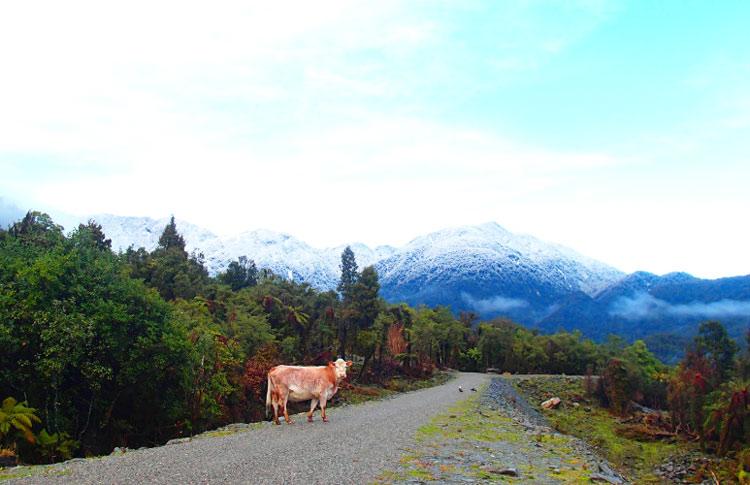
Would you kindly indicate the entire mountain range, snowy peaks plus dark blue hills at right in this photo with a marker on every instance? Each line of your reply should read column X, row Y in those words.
column 487, row 270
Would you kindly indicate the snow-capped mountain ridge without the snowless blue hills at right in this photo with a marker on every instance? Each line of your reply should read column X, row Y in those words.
column 482, row 268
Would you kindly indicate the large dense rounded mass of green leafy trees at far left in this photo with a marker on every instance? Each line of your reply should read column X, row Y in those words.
column 97, row 351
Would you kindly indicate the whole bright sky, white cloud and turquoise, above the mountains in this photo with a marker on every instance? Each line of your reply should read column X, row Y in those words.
column 621, row 130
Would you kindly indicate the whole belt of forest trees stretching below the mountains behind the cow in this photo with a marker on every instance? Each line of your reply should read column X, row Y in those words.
column 101, row 349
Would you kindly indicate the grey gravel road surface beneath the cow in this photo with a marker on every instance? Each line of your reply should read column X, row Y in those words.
column 359, row 442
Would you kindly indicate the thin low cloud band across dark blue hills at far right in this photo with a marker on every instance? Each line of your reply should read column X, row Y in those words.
column 642, row 306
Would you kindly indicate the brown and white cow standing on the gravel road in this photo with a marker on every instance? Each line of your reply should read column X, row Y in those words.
column 298, row 383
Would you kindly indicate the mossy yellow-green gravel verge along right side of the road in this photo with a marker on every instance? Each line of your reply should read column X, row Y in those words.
column 497, row 437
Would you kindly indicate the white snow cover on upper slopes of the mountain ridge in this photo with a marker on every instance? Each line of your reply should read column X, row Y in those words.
column 466, row 249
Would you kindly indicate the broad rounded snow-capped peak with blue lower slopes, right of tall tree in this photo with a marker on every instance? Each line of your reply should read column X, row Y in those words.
column 492, row 271
